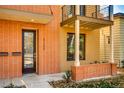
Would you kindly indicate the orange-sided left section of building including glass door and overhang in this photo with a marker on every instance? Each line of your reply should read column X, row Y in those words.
column 19, row 52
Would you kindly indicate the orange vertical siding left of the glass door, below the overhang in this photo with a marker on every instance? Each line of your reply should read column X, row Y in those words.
column 10, row 42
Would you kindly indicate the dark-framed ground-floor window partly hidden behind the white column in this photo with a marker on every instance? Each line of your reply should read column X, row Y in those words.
column 71, row 47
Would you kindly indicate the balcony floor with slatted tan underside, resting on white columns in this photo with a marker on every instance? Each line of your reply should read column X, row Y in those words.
column 86, row 22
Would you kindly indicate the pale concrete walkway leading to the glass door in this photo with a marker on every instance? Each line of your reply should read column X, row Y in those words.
column 33, row 80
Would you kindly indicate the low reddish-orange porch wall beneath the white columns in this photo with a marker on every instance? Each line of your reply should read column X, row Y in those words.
column 93, row 70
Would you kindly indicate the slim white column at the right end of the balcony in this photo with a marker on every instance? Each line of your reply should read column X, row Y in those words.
column 111, row 35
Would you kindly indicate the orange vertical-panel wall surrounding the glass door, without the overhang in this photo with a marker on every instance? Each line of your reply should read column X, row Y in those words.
column 11, row 41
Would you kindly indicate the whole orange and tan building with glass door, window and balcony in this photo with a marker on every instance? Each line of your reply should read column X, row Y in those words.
column 40, row 39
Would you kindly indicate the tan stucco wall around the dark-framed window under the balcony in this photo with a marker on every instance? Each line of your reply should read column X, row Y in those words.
column 91, row 48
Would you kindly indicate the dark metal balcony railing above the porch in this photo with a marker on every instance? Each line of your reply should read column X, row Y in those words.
column 100, row 12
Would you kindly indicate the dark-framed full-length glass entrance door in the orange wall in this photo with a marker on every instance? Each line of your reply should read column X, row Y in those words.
column 28, row 51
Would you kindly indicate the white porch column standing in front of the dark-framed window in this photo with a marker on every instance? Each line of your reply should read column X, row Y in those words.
column 77, row 36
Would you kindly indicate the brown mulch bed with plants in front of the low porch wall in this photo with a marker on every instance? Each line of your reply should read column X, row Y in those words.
column 113, row 82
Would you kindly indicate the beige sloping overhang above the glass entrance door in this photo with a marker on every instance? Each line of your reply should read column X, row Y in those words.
column 25, row 16
